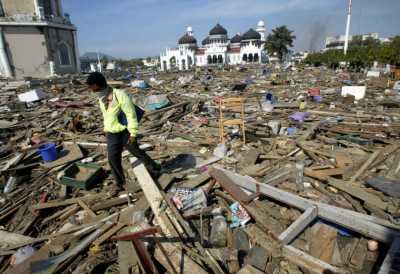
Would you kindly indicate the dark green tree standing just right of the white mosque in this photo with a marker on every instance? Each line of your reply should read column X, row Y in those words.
column 279, row 41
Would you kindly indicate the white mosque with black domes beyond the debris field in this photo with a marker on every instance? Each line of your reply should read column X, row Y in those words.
column 216, row 49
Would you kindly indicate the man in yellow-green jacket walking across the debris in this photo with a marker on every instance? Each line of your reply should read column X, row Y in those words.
column 120, row 126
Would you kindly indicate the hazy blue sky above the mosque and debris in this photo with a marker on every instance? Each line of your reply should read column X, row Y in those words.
column 141, row 28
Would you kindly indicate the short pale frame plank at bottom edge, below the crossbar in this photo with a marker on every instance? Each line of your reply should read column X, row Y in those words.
column 308, row 262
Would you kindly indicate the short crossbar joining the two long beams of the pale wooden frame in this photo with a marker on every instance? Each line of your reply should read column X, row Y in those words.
column 299, row 225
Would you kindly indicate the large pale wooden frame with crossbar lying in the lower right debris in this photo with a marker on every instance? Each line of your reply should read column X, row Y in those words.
column 366, row 225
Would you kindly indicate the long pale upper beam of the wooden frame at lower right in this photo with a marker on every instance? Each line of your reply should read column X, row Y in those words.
column 366, row 225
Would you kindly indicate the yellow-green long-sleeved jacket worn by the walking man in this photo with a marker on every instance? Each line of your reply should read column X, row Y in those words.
column 121, row 102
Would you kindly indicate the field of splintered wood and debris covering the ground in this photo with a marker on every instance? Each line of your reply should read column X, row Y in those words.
column 315, row 188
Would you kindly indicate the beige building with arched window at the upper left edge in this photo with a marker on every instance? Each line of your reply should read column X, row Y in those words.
column 36, row 39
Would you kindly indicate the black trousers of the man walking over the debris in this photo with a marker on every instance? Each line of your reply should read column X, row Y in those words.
column 116, row 142
